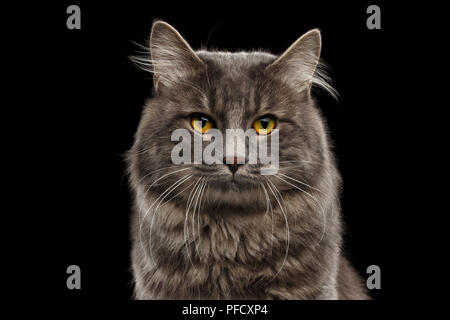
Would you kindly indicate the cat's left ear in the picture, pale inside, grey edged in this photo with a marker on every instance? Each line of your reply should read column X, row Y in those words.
column 172, row 57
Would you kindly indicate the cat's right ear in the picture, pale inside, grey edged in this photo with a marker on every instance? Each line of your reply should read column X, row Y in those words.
column 298, row 63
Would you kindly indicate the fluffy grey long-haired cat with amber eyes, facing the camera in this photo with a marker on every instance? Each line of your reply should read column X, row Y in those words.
column 225, row 231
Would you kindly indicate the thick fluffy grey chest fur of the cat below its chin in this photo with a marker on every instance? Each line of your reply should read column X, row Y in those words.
column 208, row 257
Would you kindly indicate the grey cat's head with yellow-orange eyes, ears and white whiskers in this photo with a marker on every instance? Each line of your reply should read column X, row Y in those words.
column 200, row 91
